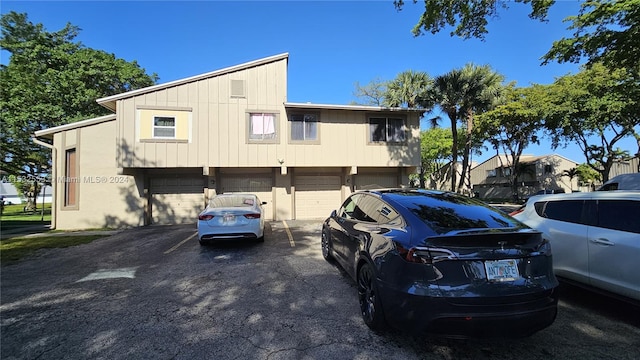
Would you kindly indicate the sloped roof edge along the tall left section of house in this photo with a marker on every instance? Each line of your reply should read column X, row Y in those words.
column 110, row 101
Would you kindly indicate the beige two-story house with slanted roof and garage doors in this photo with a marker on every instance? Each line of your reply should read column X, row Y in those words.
column 169, row 147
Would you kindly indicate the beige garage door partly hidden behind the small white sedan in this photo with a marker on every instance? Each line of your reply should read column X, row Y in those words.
column 261, row 185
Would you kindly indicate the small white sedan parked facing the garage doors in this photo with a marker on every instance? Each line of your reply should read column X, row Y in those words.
column 231, row 217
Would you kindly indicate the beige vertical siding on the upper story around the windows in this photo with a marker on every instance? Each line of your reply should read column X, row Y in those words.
column 219, row 128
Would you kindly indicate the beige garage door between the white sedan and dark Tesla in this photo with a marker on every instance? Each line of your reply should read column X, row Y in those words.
column 317, row 196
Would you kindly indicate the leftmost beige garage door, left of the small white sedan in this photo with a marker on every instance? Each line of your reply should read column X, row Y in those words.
column 177, row 199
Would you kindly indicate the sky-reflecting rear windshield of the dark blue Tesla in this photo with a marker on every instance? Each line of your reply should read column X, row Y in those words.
column 447, row 212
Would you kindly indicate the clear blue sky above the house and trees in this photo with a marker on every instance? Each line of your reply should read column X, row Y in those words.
column 331, row 44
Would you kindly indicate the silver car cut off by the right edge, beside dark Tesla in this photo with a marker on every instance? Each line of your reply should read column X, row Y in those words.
column 595, row 237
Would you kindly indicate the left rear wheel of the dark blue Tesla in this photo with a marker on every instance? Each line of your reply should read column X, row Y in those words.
column 369, row 298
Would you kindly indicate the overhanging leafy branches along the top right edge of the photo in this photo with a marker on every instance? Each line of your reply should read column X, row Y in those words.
column 606, row 31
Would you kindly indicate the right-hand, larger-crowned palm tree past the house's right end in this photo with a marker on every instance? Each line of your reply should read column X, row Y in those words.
column 462, row 93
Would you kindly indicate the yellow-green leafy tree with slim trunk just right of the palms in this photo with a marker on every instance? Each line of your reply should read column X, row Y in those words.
column 512, row 126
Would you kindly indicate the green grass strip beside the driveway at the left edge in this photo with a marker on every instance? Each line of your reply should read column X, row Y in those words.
column 12, row 250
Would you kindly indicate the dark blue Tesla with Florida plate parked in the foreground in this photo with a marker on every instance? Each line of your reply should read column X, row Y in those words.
column 439, row 262
